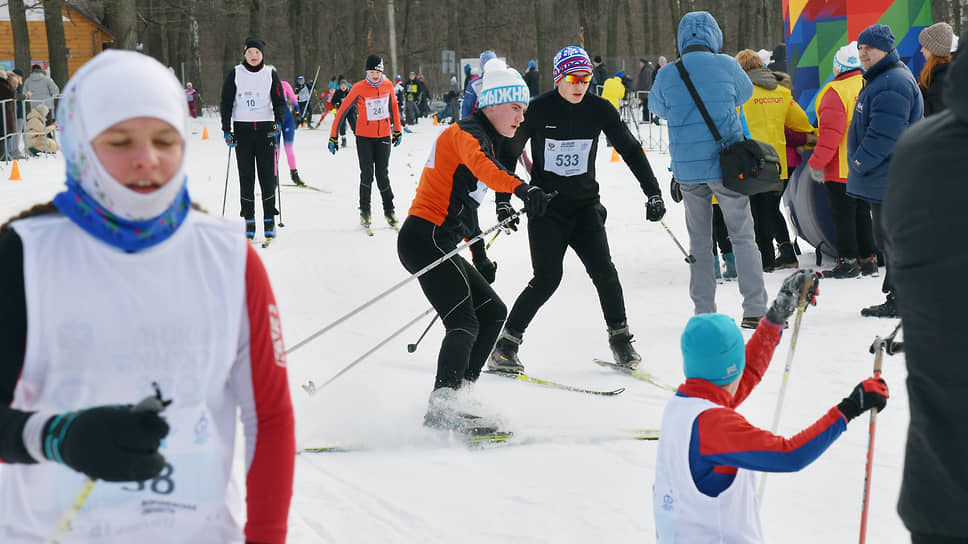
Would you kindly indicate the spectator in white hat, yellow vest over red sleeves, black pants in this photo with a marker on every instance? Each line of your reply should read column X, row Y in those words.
column 828, row 165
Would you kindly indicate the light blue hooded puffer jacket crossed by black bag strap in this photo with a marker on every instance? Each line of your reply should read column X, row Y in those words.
column 723, row 87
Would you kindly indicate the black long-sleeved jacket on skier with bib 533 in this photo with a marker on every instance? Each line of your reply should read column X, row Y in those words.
column 551, row 116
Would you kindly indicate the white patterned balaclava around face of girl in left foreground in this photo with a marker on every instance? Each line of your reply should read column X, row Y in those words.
column 91, row 103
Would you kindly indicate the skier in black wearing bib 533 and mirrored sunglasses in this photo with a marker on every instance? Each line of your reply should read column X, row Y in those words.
column 563, row 126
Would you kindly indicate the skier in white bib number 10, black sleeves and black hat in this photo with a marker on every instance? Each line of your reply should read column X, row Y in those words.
column 252, row 112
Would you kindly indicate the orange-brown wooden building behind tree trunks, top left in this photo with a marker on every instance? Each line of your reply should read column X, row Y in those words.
column 85, row 37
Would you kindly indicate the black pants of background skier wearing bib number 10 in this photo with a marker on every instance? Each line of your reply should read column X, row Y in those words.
column 255, row 148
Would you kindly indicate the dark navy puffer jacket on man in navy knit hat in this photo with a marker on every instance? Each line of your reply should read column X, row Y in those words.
column 889, row 103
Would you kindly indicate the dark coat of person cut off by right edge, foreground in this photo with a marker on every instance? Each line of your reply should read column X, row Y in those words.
column 925, row 221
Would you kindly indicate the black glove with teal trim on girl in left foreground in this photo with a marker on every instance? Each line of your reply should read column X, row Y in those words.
column 117, row 443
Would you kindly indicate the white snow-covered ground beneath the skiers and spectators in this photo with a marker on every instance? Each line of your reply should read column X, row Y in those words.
column 578, row 479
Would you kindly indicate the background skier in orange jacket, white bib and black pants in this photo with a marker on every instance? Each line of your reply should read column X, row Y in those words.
column 375, row 103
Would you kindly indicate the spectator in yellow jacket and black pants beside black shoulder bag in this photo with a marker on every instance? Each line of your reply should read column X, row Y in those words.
column 770, row 109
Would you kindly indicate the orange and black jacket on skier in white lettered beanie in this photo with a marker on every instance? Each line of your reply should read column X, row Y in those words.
column 452, row 185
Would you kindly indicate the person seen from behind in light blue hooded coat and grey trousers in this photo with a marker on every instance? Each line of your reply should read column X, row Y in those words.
column 723, row 87
